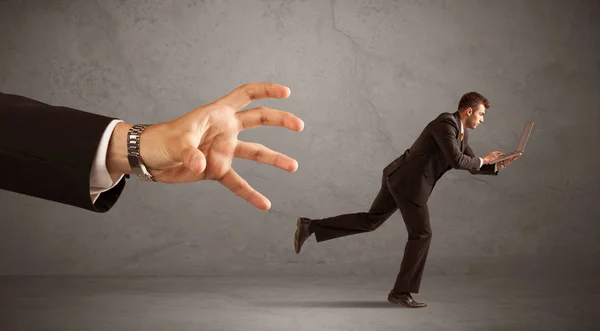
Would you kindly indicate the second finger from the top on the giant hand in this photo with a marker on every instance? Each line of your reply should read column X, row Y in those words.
column 256, row 117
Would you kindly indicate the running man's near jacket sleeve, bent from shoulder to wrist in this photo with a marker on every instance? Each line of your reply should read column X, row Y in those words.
column 445, row 134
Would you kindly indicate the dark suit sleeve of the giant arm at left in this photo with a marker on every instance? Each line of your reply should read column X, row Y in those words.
column 48, row 151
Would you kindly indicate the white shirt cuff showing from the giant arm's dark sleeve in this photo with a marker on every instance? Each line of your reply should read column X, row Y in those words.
column 100, row 179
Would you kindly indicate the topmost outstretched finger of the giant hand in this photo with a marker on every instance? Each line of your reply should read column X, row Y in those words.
column 243, row 95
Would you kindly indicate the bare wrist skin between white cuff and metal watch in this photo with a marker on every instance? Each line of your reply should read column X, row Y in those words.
column 116, row 158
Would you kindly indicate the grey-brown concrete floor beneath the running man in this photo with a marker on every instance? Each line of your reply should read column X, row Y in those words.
column 348, row 303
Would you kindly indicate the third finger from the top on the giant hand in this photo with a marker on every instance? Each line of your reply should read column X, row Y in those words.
column 260, row 153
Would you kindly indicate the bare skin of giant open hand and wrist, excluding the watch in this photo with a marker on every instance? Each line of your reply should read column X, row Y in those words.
column 201, row 144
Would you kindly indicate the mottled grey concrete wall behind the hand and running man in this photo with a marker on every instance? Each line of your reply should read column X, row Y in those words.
column 365, row 77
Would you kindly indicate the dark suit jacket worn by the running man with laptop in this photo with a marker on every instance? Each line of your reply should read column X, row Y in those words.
column 437, row 150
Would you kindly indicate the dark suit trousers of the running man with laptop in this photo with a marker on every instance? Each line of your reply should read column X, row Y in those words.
column 416, row 219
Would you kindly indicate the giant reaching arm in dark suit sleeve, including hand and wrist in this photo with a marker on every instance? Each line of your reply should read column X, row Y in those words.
column 54, row 159
